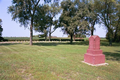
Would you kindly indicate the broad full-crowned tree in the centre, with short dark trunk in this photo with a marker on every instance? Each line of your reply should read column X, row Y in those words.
column 73, row 17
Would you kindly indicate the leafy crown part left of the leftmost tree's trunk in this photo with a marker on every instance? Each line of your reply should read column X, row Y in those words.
column 21, row 11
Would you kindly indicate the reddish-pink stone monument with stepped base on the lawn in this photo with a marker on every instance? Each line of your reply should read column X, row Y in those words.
column 94, row 55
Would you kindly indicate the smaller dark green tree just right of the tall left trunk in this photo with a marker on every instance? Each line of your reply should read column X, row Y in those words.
column 42, row 21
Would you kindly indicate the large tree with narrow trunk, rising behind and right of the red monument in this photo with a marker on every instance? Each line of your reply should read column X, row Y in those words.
column 107, row 13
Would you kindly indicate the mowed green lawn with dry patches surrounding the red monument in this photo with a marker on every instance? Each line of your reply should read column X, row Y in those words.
column 56, row 61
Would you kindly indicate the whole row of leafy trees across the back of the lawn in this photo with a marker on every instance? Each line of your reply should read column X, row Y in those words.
column 77, row 17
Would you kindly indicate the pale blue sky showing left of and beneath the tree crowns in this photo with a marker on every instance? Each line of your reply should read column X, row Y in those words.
column 13, row 29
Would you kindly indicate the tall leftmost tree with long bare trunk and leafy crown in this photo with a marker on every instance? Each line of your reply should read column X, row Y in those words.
column 24, row 11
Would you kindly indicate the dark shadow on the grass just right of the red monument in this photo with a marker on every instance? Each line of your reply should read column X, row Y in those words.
column 112, row 56
